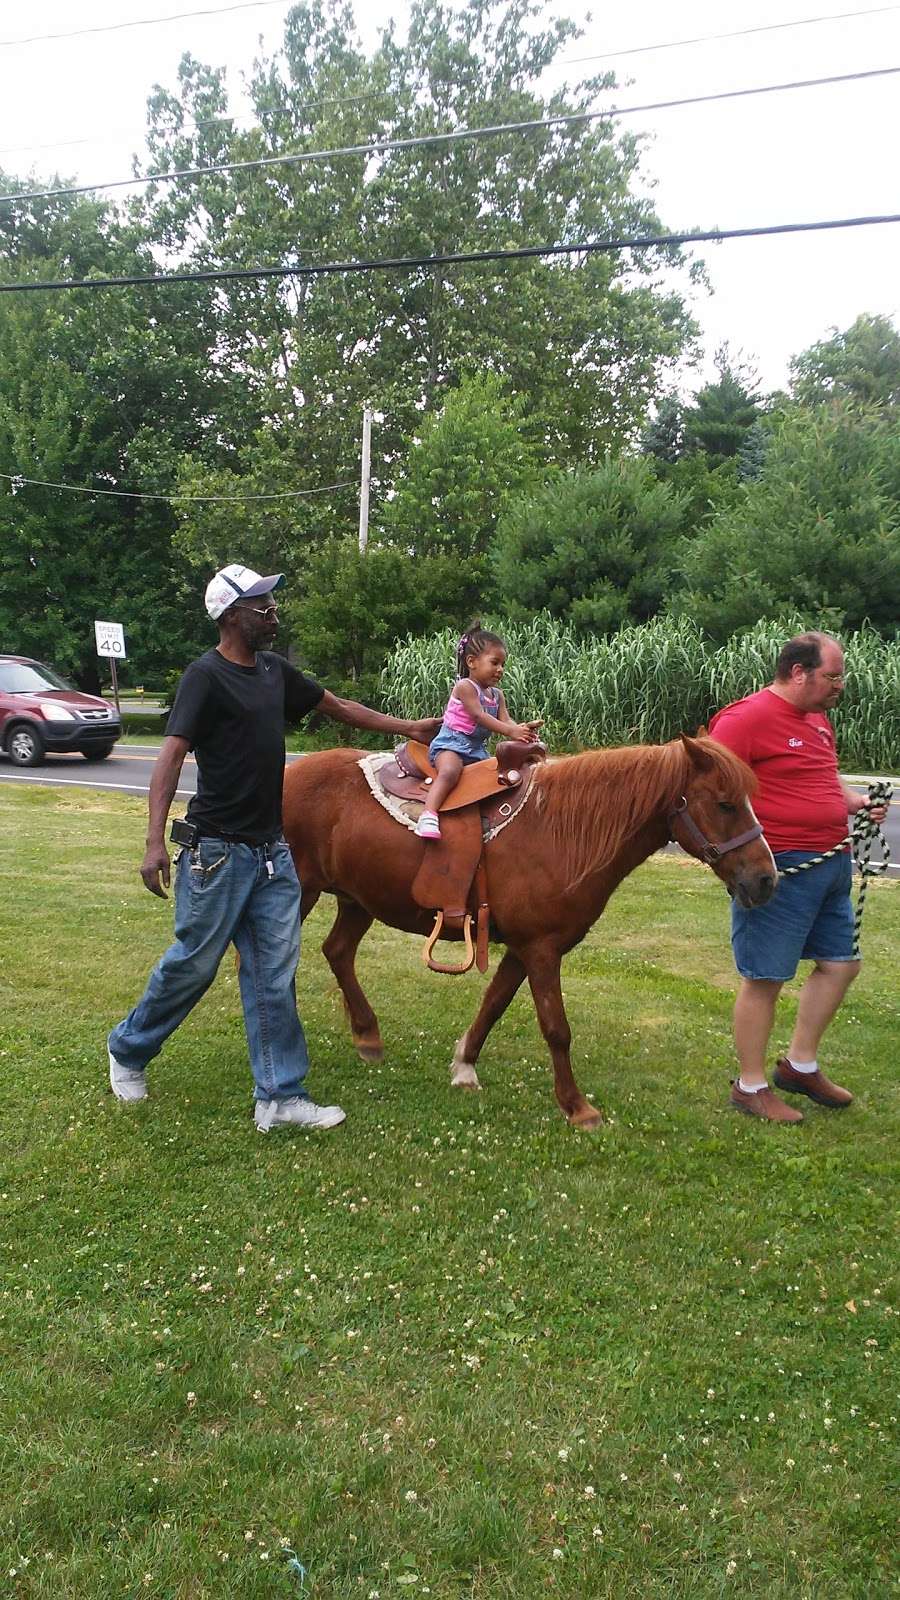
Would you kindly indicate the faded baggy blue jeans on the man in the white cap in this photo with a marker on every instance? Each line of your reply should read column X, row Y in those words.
column 223, row 894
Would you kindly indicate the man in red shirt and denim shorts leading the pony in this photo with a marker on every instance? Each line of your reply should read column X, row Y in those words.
column 784, row 735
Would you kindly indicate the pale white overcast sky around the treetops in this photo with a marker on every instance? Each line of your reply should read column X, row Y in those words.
column 813, row 154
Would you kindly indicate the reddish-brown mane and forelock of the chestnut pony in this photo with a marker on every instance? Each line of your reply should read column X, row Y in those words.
column 593, row 804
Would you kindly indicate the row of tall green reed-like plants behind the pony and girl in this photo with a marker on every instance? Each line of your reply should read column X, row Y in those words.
column 649, row 684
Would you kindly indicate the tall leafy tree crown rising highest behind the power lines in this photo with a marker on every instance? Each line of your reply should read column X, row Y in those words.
column 587, row 342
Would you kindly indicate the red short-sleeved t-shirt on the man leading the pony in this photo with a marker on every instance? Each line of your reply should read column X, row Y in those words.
column 800, row 799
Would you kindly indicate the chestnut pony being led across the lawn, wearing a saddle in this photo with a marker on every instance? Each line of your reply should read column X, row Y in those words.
column 589, row 822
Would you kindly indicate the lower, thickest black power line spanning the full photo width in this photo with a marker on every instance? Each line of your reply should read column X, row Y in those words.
column 457, row 258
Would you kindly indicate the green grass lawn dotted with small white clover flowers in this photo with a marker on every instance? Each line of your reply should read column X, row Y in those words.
column 454, row 1348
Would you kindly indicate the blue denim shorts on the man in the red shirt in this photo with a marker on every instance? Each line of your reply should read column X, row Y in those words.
column 808, row 919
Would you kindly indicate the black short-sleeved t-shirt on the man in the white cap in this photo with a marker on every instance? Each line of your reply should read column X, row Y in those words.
column 235, row 721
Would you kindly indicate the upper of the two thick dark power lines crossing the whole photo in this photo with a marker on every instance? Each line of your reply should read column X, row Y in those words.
column 460, row 135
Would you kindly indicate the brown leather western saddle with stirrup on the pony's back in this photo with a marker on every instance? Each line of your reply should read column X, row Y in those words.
column 452, row 876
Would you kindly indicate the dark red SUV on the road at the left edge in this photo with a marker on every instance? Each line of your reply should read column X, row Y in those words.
column 41, row 713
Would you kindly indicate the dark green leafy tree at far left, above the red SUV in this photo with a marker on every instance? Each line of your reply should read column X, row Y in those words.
column 98, row 391
